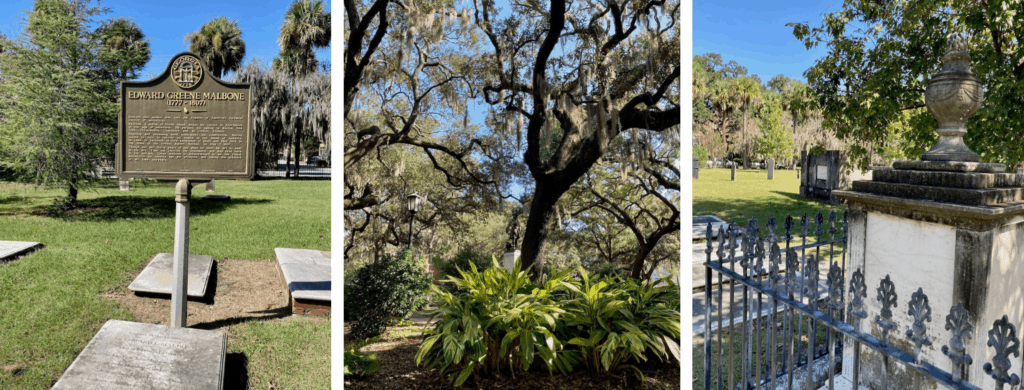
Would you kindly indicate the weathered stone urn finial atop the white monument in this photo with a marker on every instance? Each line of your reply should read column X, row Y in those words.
column 953, row 96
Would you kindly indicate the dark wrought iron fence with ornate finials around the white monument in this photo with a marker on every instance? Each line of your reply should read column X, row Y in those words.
column 773, row 346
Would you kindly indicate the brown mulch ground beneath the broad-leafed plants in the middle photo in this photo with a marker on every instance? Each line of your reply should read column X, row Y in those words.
column 398, row 350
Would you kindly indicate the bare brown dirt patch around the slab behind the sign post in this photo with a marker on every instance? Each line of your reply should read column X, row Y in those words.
column 239, row 291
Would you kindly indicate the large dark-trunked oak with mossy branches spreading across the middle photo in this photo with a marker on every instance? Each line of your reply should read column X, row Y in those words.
column 615, row 72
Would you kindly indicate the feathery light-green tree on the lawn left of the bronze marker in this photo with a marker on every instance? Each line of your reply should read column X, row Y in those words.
column 59, row 79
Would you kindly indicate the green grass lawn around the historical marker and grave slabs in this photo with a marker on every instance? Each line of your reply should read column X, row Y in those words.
column 51, row 308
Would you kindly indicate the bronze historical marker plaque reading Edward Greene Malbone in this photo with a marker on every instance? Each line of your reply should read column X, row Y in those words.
column 186, row 124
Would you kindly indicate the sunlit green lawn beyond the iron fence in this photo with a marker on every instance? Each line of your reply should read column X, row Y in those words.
column 754, row 196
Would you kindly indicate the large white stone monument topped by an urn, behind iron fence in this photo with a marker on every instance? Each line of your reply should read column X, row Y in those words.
column 948, row 225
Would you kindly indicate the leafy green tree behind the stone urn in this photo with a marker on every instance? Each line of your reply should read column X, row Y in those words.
column 882, row 55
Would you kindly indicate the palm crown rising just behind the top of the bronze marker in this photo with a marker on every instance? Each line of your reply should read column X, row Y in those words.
column 220, row 46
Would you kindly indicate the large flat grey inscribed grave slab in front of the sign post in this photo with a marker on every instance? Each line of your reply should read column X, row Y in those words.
column 135, row 356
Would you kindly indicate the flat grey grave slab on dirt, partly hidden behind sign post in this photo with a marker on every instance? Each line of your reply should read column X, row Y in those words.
column 157, row 277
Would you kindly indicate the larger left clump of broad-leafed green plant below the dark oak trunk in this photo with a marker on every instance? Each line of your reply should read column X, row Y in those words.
column 503, row 321
